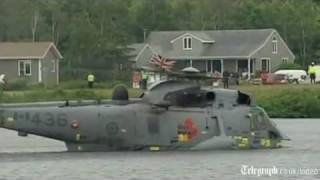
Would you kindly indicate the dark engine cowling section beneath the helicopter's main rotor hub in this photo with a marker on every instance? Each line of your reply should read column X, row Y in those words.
column 190, row 98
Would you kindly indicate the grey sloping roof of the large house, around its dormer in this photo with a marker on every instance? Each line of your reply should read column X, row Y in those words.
column 226, row 43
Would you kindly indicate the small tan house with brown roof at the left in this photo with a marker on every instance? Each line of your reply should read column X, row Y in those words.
column 37, row 62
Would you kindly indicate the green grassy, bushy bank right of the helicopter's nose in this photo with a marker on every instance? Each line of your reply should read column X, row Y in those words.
column 288, row 101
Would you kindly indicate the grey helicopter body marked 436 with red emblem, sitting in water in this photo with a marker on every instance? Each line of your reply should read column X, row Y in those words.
column 170, row 115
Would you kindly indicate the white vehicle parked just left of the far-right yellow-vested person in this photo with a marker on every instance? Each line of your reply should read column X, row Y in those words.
column 294, row 75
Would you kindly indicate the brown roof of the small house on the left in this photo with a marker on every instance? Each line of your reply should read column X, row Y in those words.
column 28, row 50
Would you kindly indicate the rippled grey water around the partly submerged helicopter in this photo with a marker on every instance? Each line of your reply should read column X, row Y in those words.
column 38, row 158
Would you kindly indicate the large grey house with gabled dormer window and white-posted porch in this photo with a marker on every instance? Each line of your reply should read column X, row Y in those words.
column 240, row 51
